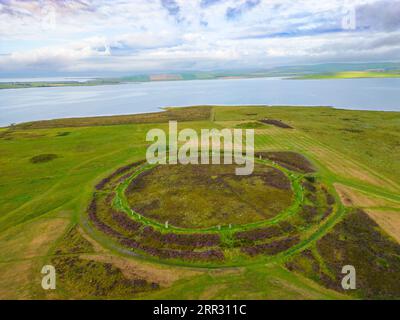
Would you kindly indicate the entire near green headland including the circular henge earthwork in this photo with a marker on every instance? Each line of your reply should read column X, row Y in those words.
column 75, row 193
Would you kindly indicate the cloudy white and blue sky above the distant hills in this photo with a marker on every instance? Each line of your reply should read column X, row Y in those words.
column 138, row 36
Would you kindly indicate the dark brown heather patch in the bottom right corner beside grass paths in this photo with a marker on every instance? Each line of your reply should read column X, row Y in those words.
column 359, row 241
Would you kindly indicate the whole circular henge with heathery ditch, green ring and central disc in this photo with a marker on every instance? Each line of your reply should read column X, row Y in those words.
column 225, row 243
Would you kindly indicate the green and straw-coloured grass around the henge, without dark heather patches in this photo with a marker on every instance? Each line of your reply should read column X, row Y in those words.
column 42, row 197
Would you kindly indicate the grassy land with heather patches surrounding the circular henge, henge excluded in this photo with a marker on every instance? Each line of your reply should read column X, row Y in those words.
column 49, row 170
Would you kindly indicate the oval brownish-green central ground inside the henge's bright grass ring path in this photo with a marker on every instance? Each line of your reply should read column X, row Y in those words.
column 201, row 196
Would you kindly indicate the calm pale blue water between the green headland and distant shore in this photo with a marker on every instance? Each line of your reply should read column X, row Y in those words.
column 126, row 99
